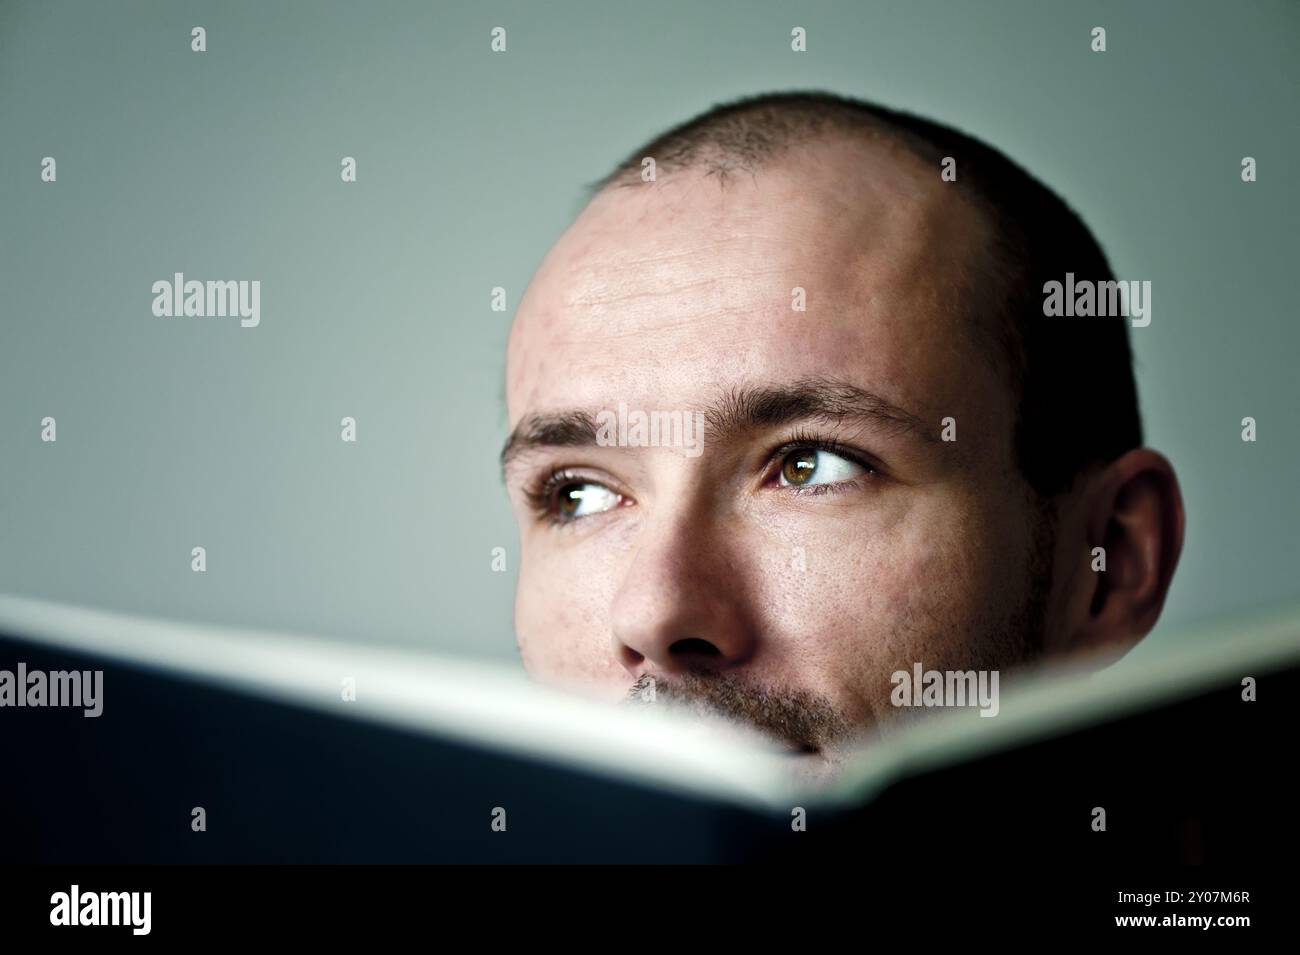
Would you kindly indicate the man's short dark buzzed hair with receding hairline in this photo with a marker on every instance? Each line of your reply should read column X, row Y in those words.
column 1077, row 402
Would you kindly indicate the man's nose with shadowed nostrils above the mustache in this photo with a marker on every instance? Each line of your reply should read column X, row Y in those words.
column 683, row 604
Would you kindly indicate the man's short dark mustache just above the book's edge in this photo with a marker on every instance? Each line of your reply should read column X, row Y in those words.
column 798, row 718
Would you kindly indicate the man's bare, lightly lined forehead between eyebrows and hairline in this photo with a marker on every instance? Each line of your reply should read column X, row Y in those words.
column 664, row 294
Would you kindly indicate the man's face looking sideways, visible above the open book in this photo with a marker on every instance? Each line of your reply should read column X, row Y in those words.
column 826, row 535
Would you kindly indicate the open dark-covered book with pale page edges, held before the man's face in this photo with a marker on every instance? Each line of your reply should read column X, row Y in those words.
column 222, row 745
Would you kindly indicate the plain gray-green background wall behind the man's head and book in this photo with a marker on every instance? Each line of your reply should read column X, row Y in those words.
column 175, row 433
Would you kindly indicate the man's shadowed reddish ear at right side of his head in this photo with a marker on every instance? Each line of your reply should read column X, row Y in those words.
column 1134, row 511
